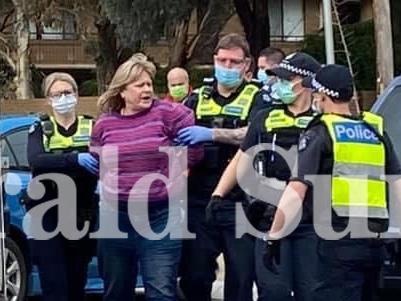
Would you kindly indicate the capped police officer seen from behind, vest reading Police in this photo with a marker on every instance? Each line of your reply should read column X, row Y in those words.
column 354, row 151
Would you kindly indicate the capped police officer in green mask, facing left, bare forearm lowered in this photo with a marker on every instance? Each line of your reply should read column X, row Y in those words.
column 279, row 126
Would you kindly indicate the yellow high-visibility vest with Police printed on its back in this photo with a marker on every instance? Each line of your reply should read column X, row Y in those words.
column 358, row 185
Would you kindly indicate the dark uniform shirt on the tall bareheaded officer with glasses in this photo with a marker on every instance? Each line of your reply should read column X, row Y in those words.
column 258, row 104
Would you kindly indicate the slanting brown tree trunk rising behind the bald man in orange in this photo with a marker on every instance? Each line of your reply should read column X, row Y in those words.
column 217, row 15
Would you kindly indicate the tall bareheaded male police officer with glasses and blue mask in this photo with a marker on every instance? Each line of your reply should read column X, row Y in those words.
column 226, row 103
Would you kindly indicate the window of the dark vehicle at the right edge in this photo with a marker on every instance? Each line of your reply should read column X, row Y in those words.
column 390, row 110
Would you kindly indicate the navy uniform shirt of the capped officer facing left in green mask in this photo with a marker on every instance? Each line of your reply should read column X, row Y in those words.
column 286, row 137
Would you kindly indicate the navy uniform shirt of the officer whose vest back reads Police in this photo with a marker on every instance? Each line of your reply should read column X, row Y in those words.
column 315, row 156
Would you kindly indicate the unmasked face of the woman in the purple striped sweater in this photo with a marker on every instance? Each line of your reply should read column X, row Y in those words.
column 138, row 95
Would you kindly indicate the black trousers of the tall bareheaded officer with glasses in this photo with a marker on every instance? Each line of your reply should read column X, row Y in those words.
column 198, row 266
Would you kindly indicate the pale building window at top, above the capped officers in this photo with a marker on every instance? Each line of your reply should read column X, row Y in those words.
column 286, row 20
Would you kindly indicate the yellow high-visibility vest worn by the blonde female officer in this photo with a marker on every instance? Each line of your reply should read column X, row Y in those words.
column 79, row 139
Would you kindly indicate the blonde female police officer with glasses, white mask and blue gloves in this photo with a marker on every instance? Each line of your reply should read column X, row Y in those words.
column 59, row 144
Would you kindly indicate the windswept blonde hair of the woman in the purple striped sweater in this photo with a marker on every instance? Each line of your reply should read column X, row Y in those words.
column 128, row 72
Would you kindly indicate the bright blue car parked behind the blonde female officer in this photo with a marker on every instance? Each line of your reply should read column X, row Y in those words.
column 21, row 276
